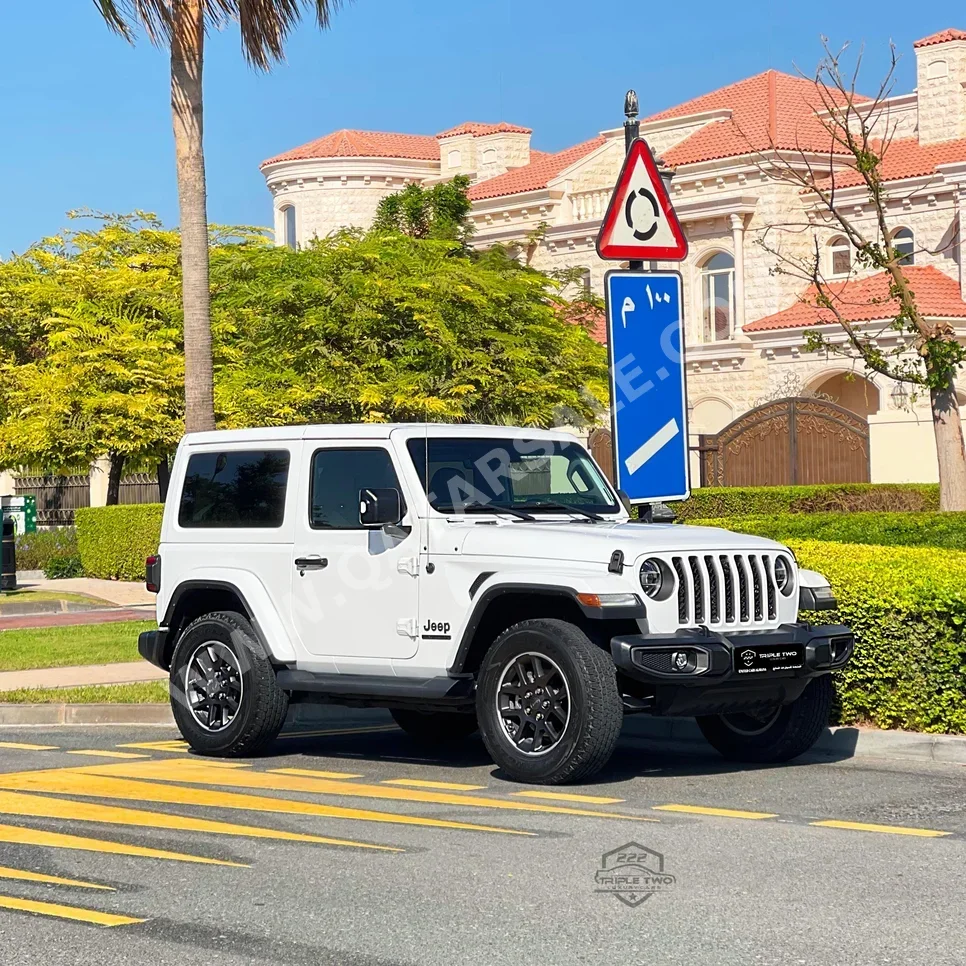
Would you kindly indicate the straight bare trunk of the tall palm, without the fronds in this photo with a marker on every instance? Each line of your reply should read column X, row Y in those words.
column 187, row 60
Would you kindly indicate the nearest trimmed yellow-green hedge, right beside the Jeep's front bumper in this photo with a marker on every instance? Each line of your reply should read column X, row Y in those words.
column 907, row 607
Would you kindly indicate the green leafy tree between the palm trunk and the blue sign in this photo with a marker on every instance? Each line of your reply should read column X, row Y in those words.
column 388, row 327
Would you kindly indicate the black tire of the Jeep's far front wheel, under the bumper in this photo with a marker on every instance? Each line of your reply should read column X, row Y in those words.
column 796, row 729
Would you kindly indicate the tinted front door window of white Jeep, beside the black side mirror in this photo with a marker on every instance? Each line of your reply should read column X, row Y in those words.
column 337, row 477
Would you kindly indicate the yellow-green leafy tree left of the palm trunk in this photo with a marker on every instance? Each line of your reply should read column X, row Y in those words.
column 91, row 360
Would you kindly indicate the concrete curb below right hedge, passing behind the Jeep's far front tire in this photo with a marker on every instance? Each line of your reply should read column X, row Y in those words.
column 841, row 742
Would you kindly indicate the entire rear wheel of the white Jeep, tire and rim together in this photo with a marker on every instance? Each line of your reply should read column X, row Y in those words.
column 224, row 695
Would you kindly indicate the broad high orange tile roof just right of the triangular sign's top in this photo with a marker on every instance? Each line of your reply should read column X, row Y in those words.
column 768, row 109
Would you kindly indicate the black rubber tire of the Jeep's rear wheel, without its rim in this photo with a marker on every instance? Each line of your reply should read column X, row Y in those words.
column 263, row 705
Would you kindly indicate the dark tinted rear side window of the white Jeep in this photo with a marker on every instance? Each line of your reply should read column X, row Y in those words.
column 235, row 489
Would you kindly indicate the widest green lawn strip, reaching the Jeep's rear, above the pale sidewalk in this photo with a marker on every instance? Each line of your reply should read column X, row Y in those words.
column 77, row 644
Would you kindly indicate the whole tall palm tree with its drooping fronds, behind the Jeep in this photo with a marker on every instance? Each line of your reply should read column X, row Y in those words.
column 181, row 25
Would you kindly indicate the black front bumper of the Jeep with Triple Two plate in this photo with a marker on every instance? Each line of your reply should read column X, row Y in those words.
column 728, row 672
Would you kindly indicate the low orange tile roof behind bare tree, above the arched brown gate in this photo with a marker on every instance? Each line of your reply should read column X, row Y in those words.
column 867, row 300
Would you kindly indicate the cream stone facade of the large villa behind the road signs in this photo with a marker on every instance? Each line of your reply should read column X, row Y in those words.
column 733, row 203
